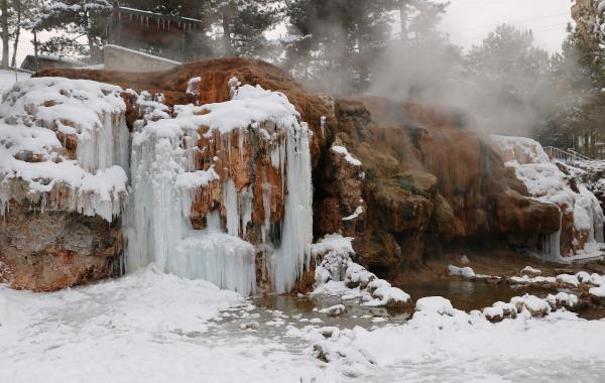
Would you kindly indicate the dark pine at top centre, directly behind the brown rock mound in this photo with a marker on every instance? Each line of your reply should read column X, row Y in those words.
column 338, row 38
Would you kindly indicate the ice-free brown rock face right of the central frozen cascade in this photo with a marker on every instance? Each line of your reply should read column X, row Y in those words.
column 428, row 180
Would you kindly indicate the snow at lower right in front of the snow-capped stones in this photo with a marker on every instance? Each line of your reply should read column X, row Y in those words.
column 464, row 348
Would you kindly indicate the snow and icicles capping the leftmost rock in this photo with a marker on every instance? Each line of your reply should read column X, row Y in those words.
column 37, row 119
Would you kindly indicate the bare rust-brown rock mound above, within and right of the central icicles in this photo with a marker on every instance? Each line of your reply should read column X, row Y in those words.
column 425, row 178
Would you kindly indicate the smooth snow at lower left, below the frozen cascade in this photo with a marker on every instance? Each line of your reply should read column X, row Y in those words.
column 146, row 327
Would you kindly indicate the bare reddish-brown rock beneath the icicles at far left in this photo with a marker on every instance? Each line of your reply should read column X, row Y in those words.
column 53, row 250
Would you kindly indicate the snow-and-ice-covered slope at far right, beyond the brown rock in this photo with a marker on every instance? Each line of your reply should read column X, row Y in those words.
column 547, row 183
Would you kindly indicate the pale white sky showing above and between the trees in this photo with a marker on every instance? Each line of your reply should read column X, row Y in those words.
column 469, row 21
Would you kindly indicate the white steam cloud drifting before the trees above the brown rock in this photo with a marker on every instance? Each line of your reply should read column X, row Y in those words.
column 509, row 88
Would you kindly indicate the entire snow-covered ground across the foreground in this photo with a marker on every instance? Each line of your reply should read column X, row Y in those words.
column 155, row 327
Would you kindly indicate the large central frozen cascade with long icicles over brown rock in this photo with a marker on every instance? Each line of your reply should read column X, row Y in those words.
column 165, row 182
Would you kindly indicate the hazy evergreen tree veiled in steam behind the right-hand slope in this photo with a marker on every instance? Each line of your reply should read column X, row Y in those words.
column 511, row 84
